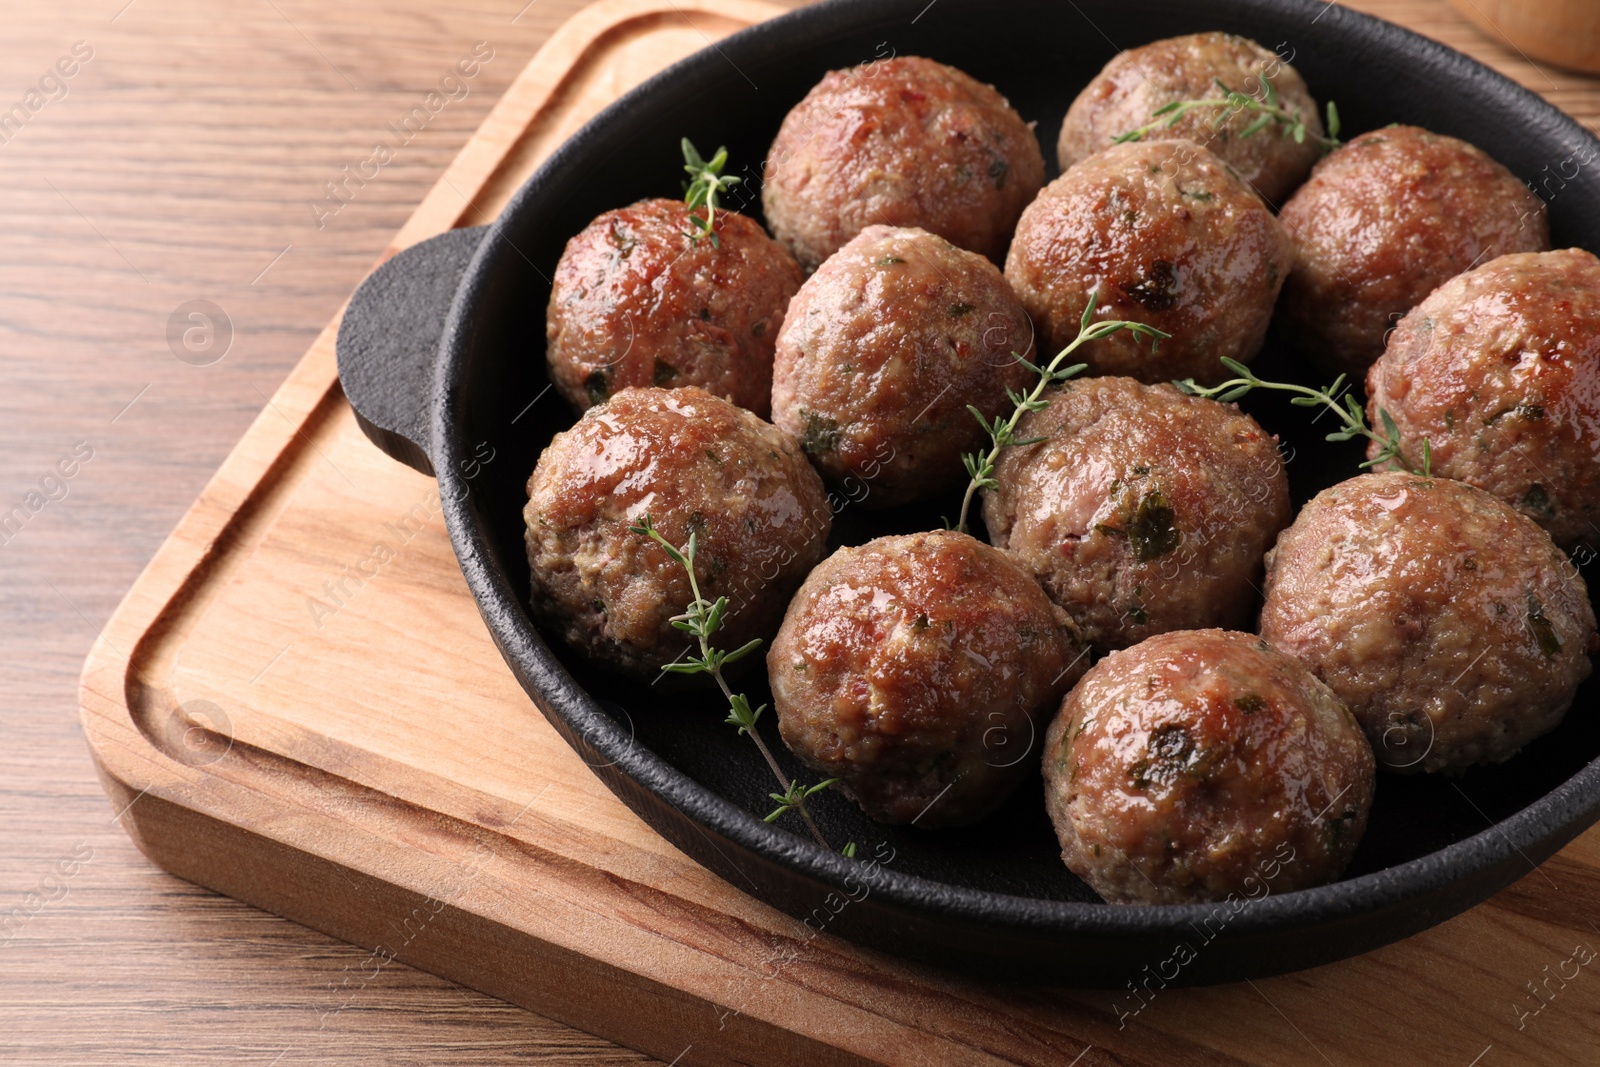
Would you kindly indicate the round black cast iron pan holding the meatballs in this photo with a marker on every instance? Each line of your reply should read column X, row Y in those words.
column 442, row 356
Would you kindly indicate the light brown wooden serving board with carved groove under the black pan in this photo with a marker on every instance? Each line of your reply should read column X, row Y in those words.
column 298, row 706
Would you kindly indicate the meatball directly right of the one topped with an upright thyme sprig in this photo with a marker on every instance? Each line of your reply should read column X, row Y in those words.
column 884, row 350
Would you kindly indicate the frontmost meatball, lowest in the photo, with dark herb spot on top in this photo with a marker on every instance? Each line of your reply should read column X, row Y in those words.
column 1204, row 765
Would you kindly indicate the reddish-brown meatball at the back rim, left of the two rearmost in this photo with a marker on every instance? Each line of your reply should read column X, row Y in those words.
column 902, row 142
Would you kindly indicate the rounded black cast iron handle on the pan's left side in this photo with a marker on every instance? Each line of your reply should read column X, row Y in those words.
column 390, row 343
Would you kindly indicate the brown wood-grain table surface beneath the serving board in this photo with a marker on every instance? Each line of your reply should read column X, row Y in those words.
column 180, row 162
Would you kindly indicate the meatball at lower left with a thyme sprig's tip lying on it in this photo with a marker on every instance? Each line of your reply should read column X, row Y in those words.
column 695, row 465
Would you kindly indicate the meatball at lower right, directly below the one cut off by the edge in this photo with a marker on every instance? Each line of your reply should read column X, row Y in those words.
column 1452, row 626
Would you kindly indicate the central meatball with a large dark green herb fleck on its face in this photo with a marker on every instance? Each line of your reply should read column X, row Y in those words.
column 1143, row 510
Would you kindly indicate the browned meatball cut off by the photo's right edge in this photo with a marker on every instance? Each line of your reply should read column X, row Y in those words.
column 1500, row 370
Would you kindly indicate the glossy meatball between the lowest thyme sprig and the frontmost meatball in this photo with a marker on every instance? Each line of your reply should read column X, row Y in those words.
column 913, row 669
